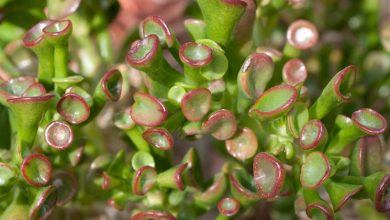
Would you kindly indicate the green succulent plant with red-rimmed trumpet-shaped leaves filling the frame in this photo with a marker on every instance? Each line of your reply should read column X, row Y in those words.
column 279, row 144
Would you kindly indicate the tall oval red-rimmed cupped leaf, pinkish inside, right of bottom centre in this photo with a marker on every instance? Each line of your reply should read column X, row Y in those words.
column 269, row 174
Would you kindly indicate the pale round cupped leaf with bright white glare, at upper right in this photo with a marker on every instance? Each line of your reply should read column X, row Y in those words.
column 302, row 34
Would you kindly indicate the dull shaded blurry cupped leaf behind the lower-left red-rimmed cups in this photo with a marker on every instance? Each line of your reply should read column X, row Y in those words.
column 66, row 184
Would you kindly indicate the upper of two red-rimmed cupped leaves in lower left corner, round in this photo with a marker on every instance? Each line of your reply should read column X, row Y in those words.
column 36, row 170
